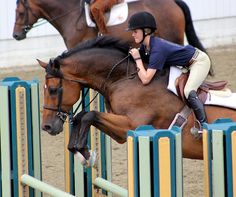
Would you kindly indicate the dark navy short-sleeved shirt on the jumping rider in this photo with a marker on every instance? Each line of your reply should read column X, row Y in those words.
column 164, row 53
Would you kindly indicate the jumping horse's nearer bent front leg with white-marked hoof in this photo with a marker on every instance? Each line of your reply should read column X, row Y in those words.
column 116, row 126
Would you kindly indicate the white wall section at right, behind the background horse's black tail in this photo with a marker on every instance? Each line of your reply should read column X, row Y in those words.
column 214, row 21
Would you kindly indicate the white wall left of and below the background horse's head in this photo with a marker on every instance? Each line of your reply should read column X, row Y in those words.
column 42, row 42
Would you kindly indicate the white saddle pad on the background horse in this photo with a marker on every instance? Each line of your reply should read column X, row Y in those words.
column 118, row 14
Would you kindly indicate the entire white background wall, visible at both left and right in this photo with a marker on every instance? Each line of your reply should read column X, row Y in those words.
column 214, row 21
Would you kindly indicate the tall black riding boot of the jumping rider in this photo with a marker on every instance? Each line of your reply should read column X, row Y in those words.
column 197, row 107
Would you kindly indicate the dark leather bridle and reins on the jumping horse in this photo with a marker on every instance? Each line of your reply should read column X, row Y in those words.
column 62, row 114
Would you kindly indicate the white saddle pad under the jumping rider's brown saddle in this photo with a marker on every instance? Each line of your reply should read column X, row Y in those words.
column 212, row 98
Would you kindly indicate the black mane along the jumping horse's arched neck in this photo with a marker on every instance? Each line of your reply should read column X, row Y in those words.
column 99, row 42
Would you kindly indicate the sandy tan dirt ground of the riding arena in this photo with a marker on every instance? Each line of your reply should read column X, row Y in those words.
column 224, row 62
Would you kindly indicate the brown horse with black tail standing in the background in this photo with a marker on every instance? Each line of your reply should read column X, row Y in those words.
column 68, row 17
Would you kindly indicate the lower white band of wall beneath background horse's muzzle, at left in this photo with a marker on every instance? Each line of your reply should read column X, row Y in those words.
column 24, row 53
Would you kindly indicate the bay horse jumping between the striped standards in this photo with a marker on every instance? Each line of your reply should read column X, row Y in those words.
column 103, row 65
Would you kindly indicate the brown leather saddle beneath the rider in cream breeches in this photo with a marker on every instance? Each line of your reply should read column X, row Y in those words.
column 202, row 91
